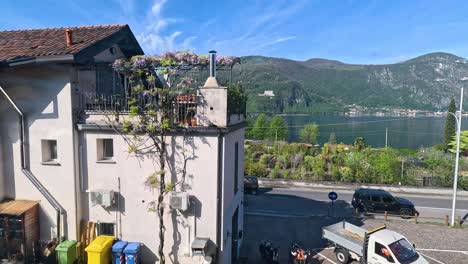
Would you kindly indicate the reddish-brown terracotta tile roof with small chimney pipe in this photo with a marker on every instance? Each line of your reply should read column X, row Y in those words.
column 15, row 44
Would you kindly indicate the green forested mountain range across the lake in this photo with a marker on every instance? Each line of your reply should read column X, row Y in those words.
column 427, row 82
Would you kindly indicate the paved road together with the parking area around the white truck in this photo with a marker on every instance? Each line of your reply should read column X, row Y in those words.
column 286, row 215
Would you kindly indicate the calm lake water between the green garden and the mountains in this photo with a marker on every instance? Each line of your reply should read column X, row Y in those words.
column 403, row 132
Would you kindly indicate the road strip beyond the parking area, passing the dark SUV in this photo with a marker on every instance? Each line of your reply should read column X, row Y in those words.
column 314, row 202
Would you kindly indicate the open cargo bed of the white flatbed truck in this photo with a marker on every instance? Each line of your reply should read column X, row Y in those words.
column 346, row 235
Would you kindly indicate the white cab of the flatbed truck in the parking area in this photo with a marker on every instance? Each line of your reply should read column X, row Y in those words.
column 387, row 246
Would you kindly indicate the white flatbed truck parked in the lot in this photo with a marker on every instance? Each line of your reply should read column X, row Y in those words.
column 378, row 246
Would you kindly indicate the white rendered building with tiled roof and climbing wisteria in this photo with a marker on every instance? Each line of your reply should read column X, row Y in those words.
column 66, row 153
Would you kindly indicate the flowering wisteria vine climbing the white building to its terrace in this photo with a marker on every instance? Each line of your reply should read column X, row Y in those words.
column 155, row 83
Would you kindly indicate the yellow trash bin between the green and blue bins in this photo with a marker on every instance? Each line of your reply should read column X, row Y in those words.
column 99, row 251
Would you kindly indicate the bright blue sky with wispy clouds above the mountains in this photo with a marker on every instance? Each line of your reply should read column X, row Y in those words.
column 353, row 31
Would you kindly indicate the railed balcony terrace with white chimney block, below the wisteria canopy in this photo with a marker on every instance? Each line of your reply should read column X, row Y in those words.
column 216, row 108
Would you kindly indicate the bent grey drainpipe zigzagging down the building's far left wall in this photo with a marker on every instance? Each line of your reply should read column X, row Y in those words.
column 28, row 173
